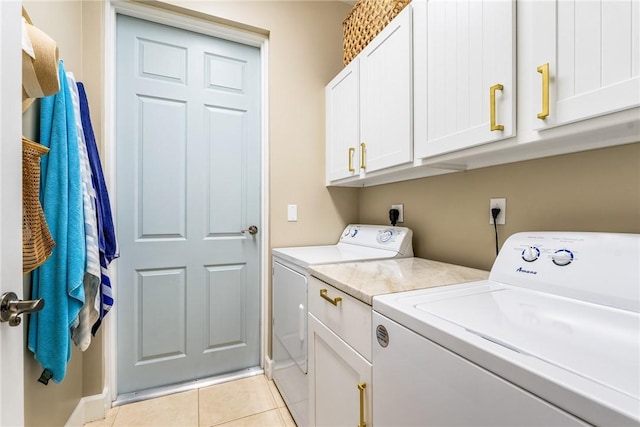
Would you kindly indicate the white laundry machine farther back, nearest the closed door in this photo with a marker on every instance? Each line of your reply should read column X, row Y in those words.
column 289, row 310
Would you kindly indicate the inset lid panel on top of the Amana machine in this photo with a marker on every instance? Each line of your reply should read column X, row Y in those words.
column 594, row 341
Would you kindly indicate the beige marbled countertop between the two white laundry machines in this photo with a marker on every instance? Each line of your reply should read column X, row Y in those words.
column 366, row 279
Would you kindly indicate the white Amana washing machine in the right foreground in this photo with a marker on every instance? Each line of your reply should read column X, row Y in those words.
column 551, row 338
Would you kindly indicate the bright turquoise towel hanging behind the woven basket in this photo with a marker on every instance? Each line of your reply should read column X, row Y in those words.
column 60, row 279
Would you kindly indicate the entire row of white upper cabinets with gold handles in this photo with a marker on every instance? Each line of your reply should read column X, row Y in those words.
column 435, row 91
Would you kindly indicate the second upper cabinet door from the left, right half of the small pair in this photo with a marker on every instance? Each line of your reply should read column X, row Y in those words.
column 386, row 96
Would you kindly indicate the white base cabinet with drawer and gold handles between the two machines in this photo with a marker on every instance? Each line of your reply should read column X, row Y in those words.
column 340, row 386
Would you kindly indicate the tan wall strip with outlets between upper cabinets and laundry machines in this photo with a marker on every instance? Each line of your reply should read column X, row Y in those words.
column 449, row 214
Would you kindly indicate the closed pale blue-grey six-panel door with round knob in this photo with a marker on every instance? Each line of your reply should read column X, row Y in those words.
column 188, row 184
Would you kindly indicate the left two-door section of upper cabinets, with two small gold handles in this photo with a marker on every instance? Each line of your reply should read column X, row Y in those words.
column 369, row 123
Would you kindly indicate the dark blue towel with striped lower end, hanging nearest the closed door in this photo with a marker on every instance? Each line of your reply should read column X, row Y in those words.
column 106, row 233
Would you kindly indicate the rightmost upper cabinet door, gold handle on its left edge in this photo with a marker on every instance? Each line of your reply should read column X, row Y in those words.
column 592, row 51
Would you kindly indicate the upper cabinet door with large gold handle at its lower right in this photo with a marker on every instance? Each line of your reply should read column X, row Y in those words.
column 470, row 55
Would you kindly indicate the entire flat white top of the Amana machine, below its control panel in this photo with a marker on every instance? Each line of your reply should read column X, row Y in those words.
column 582, row 357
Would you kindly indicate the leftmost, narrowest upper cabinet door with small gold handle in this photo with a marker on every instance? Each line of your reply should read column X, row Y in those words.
column 343, row 124
